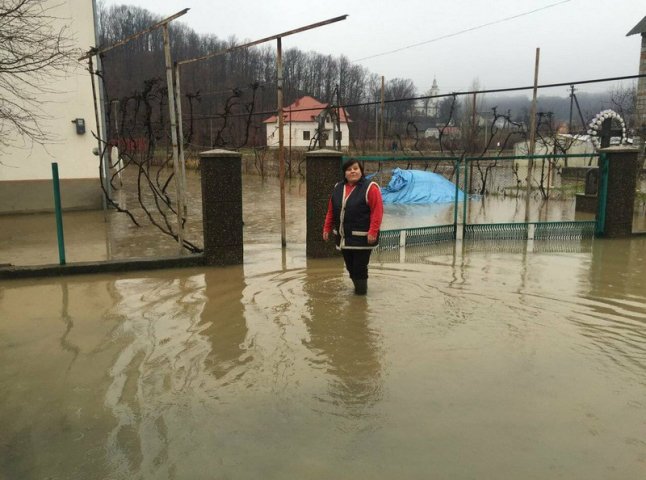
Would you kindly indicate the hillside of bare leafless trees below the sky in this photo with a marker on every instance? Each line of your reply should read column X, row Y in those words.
column 226, row 98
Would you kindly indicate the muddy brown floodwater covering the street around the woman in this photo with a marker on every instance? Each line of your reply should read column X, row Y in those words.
column 496, row 360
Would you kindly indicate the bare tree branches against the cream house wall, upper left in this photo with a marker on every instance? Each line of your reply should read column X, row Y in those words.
column 34, row 49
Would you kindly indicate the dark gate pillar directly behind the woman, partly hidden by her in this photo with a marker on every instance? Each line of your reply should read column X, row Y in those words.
column 323, row 172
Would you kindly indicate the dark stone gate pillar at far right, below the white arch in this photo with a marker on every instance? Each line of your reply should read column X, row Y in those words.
column 622, row 182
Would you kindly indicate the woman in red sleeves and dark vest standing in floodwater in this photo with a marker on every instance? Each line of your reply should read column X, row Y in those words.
column 354, row 215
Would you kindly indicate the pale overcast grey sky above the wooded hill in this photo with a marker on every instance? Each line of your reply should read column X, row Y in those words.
column 454, row 41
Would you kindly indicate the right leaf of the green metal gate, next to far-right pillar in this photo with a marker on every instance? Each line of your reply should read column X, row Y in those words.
column 539, row 186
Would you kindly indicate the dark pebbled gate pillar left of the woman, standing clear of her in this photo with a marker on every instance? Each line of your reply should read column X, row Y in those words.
column 222, row 207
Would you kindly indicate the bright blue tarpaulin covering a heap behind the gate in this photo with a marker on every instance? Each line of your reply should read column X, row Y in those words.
column 418, row 186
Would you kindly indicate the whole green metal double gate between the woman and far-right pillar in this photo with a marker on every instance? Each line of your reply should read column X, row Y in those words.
column 499, row 204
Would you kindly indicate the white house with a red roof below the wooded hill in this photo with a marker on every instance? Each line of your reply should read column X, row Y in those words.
column 303, row 119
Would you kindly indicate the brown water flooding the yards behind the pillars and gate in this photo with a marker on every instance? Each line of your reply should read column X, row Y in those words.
column 97, row 236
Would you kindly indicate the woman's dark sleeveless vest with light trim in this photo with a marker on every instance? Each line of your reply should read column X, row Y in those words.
column 352, row 217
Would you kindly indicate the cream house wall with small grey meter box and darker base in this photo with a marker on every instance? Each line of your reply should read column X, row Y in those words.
column 25, row 171
